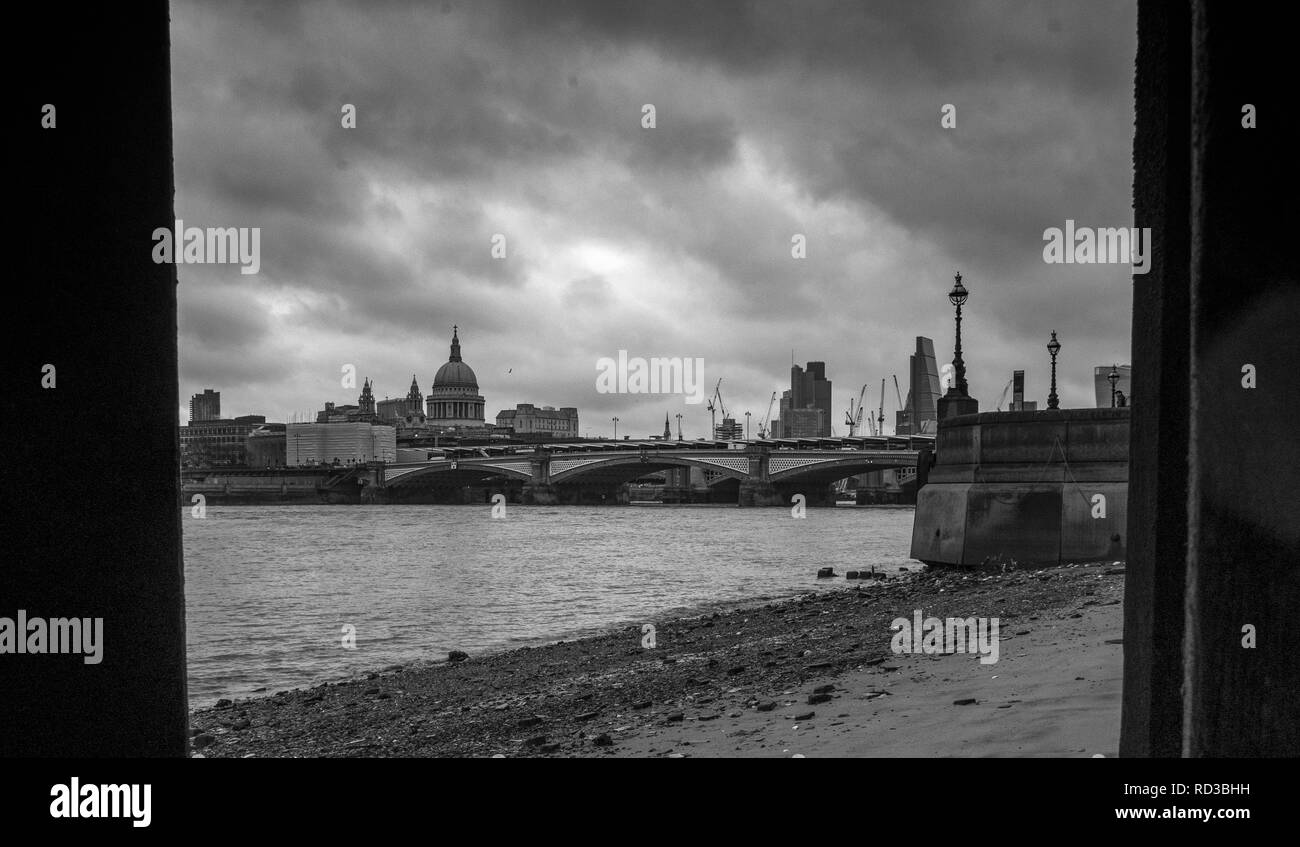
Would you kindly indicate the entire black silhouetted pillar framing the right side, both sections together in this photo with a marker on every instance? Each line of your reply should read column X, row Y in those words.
column 1211, row 668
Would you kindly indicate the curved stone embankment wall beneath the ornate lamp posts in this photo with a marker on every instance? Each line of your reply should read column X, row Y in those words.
column 1022, row 485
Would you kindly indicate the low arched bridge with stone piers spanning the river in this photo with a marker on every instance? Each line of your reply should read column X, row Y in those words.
column 749, row 472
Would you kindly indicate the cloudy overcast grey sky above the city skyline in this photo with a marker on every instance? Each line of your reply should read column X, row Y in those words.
column 526, row 119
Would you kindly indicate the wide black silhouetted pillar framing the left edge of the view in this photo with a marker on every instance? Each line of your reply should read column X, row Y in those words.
column 93, row 490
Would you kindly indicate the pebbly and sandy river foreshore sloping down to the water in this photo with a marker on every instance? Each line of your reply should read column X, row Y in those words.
column 739, row 684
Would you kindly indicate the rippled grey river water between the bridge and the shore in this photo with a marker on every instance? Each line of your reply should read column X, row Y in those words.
column 270, row 590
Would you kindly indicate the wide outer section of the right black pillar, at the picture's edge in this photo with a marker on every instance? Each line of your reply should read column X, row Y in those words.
column 1243, row 559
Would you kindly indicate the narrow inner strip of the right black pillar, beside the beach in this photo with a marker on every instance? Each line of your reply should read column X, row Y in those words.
column 1158, row 475
